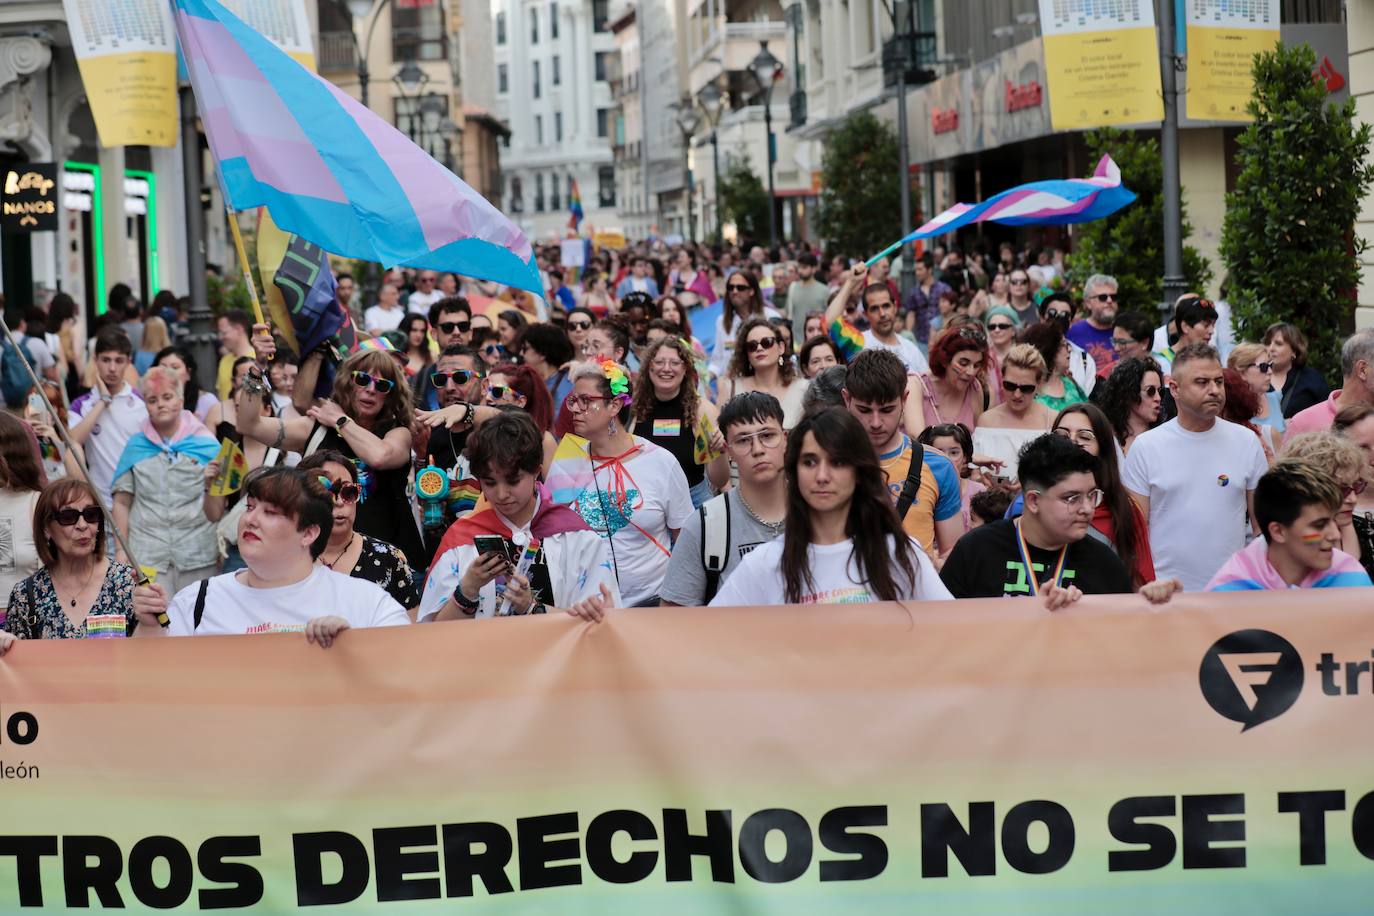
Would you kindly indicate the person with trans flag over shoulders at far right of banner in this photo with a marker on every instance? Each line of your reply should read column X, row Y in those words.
column 1296, row 507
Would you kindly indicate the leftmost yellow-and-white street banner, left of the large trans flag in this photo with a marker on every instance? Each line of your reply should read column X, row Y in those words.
column 127, row 56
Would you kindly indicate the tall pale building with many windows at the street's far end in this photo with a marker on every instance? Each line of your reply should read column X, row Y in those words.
column 552, row 64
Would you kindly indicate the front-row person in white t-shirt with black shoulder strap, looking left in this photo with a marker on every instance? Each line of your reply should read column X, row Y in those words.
column 282, row 532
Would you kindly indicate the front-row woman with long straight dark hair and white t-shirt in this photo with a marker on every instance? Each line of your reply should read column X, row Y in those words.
column 843, row 543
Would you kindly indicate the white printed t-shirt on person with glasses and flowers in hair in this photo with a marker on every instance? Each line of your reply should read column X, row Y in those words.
column 657, row 501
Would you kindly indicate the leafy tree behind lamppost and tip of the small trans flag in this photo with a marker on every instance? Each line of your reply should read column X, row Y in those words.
column 1130, row 244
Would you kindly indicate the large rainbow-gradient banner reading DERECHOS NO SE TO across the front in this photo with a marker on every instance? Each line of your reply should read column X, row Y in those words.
column 972, row 757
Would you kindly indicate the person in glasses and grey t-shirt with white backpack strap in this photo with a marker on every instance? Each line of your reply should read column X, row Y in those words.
column 752, row 513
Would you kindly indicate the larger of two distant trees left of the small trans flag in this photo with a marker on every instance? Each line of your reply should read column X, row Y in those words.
column 859, row 209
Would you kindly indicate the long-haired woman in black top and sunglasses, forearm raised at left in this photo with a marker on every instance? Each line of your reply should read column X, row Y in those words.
column 369, row 420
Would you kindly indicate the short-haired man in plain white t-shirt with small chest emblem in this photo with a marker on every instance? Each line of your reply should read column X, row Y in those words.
column 1195, row 477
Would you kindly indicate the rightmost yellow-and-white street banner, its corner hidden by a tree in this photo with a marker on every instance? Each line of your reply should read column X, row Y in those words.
column 1224, row 39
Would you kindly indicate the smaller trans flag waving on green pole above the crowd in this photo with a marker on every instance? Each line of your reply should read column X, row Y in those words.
column 1052, row 203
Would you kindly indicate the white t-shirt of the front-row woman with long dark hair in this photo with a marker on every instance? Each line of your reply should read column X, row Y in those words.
column 835, row 579
